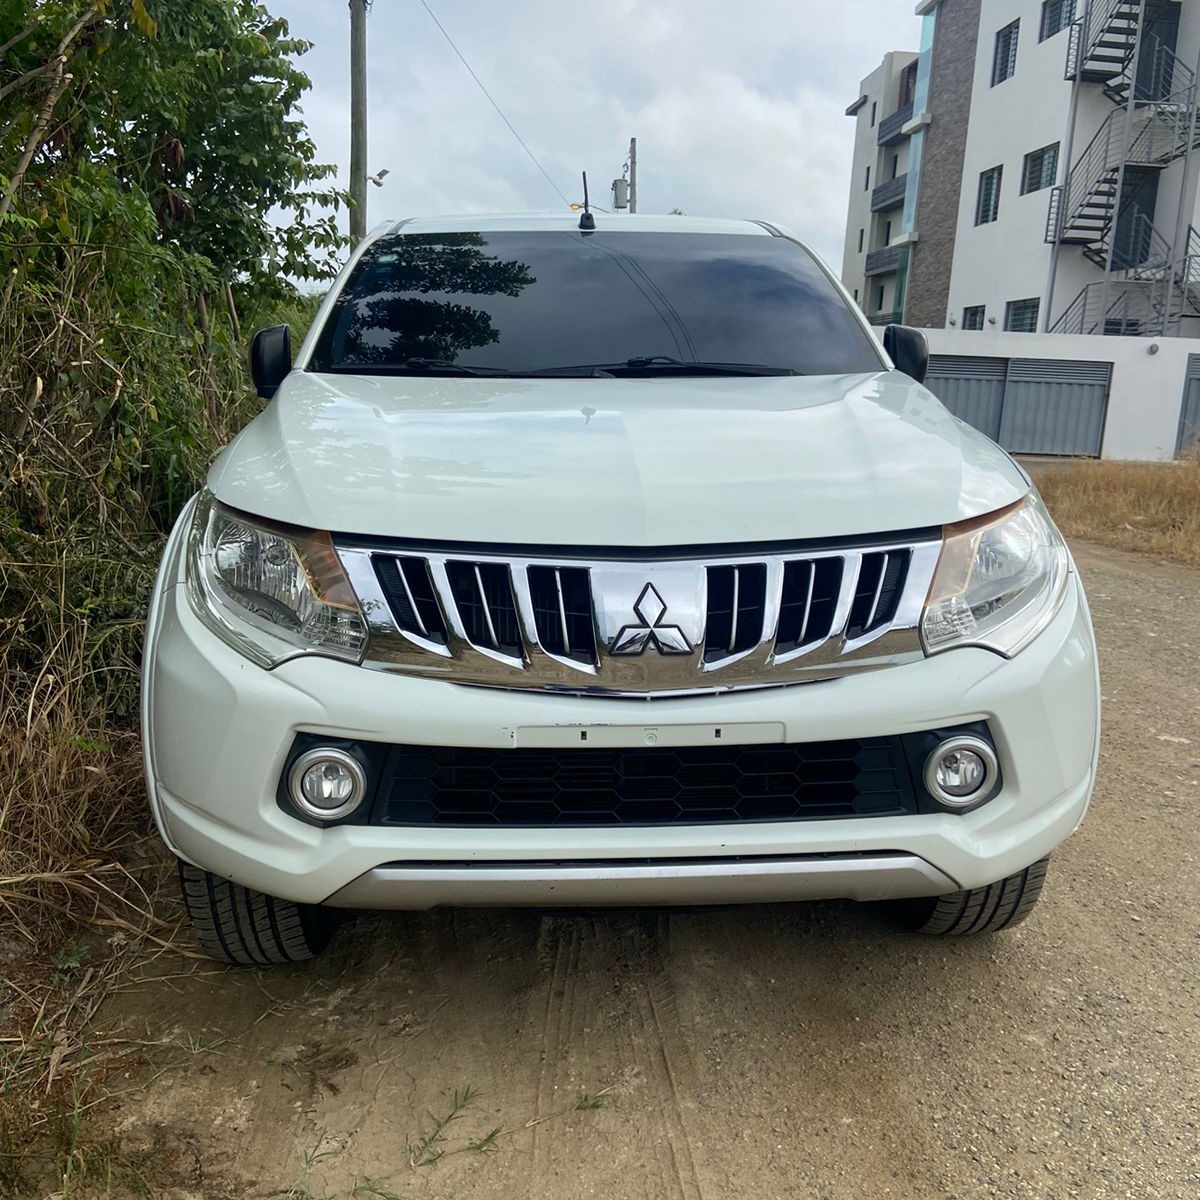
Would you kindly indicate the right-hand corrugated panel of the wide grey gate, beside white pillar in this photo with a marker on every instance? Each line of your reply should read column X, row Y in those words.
column 1055, row 406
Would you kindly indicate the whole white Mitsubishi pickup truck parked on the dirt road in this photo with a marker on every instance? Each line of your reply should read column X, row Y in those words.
column 613, row 566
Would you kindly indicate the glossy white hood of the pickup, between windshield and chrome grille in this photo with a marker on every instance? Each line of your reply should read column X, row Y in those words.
column 613, row 463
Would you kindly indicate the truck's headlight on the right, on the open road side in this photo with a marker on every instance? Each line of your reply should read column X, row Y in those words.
column 999, row 583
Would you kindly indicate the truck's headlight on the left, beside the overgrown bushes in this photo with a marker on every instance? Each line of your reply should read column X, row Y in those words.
column 272, row 593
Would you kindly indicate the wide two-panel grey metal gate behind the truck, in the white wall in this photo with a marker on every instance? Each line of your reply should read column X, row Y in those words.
column 1029, row 406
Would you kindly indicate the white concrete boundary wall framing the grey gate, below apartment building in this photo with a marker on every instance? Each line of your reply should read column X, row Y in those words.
column 1147, row 397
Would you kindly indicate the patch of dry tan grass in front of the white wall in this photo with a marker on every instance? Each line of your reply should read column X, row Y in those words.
column 1148, row 507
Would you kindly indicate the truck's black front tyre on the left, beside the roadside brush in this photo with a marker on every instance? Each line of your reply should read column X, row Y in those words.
column 247, row 928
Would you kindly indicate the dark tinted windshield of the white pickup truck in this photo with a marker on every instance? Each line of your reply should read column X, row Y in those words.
column 541, row 302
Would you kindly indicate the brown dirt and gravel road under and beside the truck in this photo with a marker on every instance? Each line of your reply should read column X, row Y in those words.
column 800, row 1052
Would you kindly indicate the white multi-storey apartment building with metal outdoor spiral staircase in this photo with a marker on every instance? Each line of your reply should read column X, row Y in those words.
column 1052, row 171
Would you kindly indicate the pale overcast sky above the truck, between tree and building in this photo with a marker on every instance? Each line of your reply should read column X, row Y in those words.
column 739, row 109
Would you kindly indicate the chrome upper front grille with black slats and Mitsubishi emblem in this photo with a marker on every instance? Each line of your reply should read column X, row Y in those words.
column 632, row 627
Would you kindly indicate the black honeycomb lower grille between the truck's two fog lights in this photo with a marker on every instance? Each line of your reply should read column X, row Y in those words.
column 687, row 785
